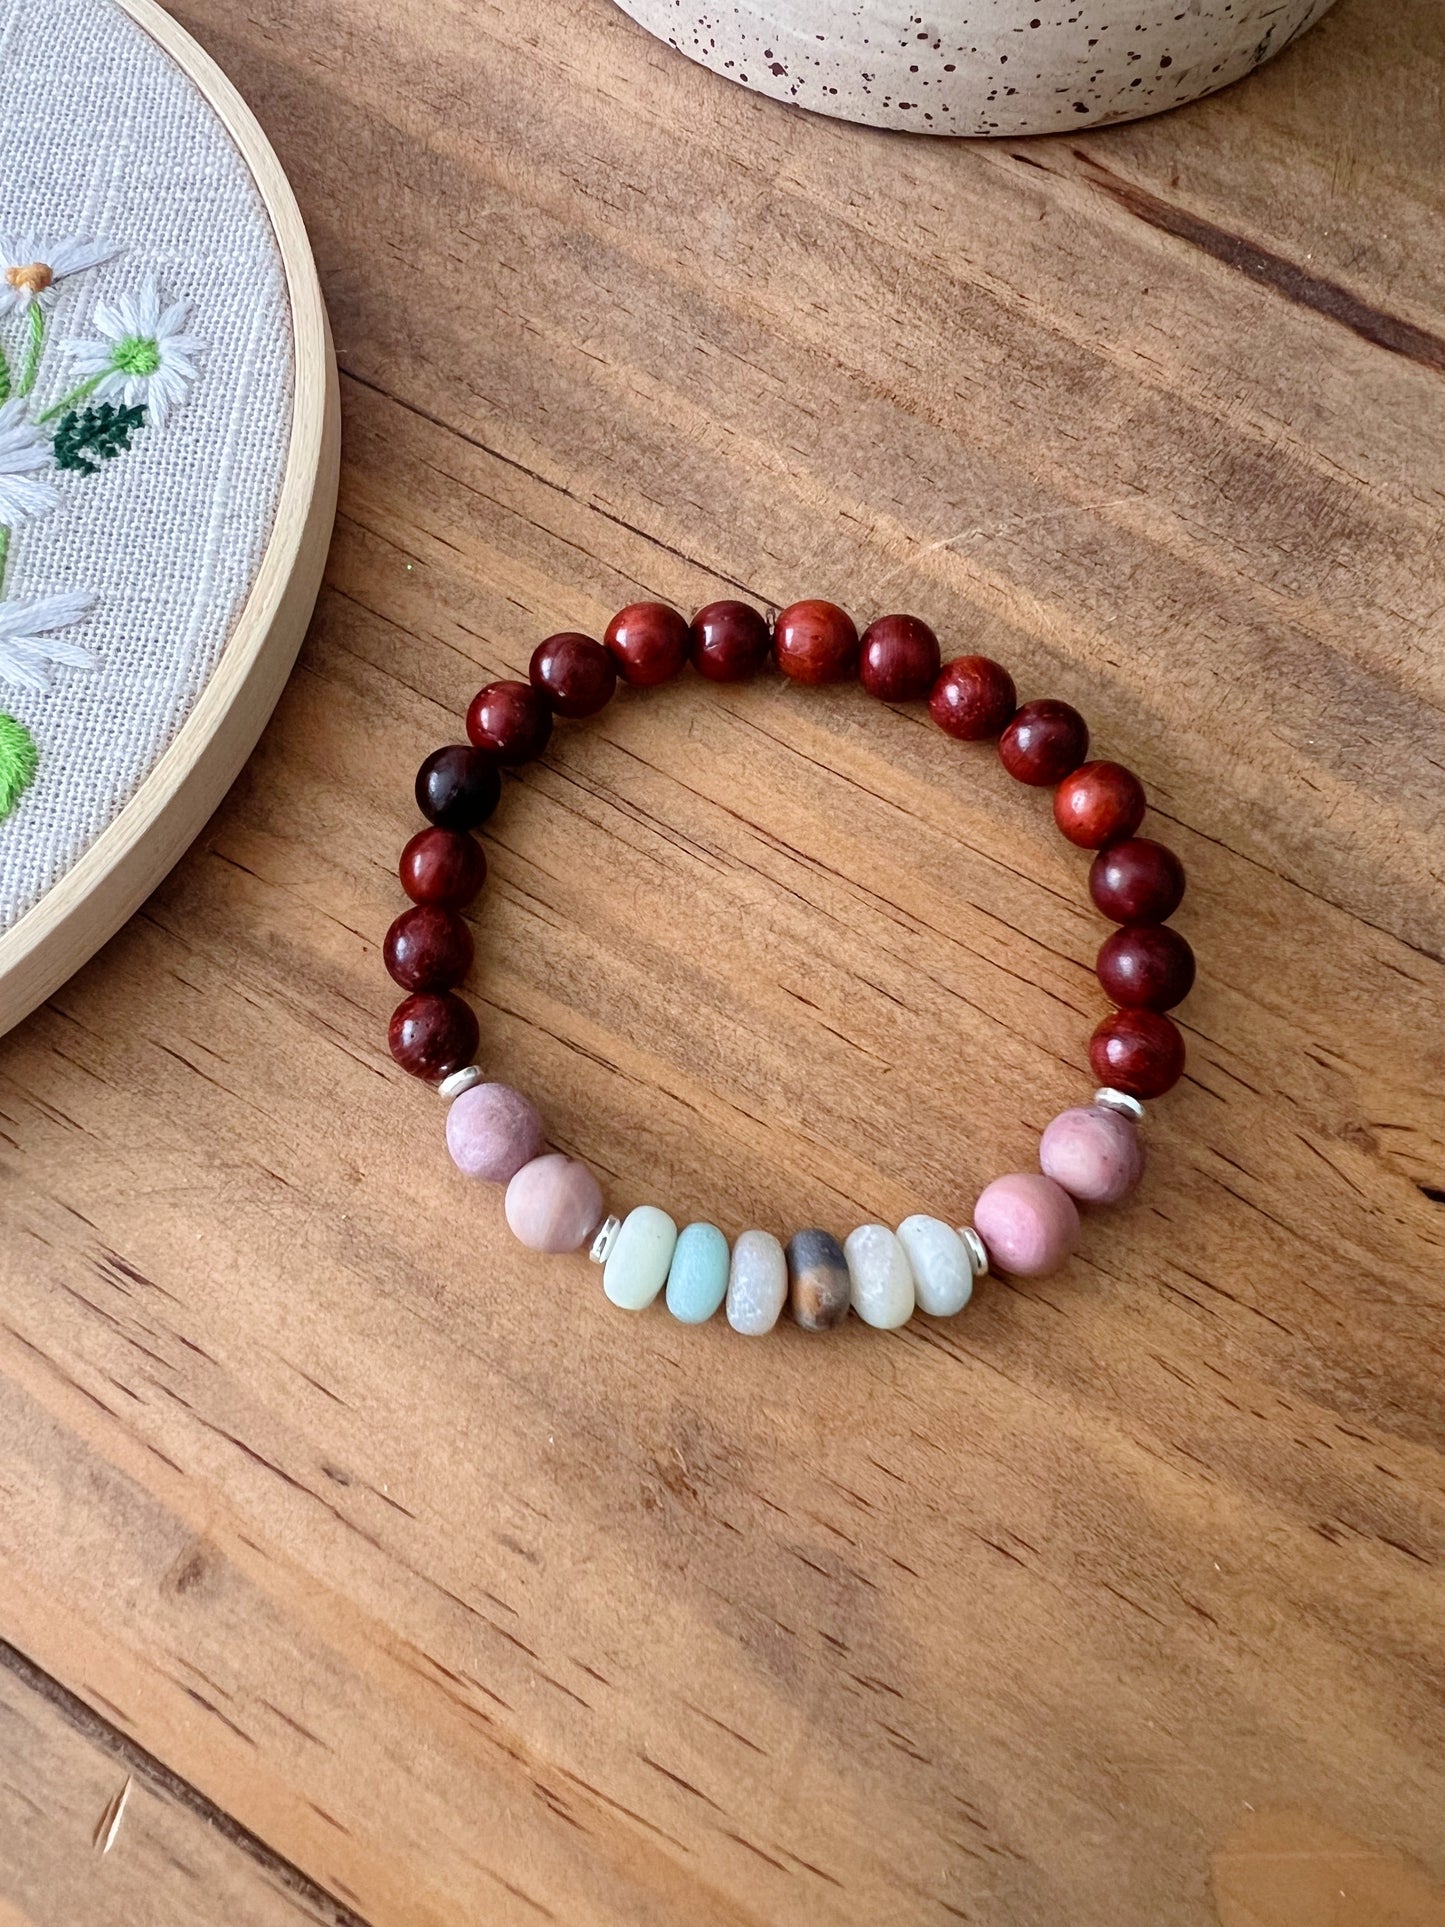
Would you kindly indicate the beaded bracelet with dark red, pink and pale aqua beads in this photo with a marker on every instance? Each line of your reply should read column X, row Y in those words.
column 1024, row 1225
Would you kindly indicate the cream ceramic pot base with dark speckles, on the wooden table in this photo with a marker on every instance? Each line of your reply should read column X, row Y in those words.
column 982, row 66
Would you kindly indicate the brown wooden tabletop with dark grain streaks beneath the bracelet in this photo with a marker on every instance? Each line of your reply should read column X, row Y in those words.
column 400, row 1577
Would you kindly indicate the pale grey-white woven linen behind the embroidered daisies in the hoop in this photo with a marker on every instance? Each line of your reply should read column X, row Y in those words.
column 105, row 138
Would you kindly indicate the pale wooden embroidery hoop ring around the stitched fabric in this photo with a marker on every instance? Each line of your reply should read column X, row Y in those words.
column 172, row 803
